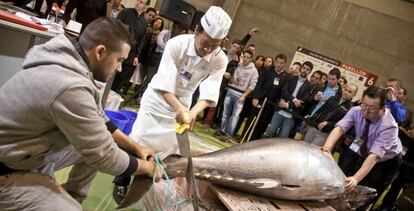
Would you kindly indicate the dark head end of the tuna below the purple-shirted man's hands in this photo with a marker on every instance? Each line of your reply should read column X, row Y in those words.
column 355, row 200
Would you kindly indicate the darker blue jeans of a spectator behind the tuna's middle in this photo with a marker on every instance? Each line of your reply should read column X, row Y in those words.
column 281, row 123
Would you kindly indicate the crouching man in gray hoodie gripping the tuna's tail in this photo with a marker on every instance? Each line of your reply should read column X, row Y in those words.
column 51, row 118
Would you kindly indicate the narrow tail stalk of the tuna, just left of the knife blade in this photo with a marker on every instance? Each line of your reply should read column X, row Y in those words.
column 175, row 166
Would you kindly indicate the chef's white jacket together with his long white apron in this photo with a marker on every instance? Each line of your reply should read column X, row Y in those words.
column 155, row 124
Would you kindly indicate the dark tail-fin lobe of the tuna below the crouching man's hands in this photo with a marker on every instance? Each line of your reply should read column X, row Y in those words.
column 137, row 190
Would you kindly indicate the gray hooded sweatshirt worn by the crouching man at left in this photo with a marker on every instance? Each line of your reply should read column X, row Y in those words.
column 51, row 104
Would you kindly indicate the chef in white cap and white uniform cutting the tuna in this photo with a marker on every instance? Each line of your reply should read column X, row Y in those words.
column 188, row 61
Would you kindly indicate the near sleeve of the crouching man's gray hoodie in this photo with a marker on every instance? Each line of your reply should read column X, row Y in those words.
column 75, row 113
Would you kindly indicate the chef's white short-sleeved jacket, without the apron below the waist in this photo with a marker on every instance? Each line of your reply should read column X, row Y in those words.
column 180, row 56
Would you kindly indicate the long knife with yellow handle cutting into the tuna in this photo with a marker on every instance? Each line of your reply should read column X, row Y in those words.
column 184, row 146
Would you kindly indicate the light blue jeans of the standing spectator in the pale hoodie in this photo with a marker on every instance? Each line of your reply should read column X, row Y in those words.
column 231, row 111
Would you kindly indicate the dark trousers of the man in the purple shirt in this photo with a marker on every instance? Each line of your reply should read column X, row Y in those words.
column 380, row 175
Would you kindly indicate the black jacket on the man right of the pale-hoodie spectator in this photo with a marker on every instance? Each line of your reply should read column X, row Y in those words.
column 266, row 86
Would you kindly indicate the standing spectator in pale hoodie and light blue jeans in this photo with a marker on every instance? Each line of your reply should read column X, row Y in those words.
column 241, row 84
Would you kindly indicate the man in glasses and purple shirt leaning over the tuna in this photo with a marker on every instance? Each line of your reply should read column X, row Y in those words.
column 374, row 156
